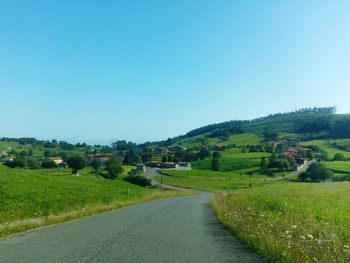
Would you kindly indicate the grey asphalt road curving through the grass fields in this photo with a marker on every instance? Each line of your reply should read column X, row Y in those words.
column 180, row 229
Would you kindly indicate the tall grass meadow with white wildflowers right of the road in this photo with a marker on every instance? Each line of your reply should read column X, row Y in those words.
column 293, row 222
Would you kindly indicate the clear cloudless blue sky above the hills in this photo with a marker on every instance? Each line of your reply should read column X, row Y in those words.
column 100, row 71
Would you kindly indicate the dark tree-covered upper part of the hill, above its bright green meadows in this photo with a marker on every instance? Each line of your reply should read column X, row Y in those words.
column 317, row 122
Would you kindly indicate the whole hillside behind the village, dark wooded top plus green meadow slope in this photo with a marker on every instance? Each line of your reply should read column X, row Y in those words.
column 301, row 125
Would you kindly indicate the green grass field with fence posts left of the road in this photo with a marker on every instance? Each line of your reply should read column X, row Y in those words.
column 30, row 199
